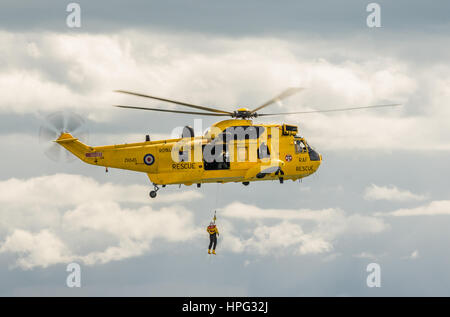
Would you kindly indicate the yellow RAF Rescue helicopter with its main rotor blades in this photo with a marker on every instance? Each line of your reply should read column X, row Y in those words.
column 233, row 150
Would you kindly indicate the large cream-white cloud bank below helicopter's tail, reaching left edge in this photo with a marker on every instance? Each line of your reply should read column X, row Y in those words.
column 64, row 218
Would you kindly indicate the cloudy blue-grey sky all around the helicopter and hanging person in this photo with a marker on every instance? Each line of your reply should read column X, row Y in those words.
column 381, row 194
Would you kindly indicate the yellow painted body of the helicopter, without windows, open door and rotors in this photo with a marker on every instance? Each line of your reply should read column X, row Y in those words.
column 164, row 170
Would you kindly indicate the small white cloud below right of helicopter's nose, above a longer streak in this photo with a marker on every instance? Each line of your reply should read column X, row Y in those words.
column 391, row 193
